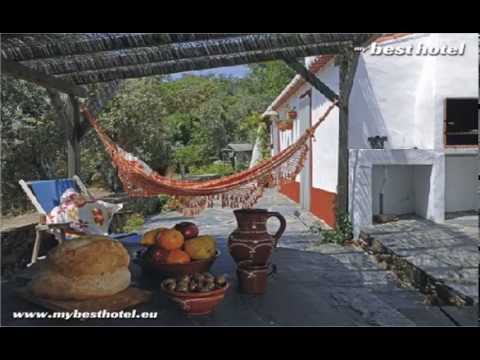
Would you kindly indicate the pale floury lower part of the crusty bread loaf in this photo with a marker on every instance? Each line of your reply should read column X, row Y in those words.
column 54, row 285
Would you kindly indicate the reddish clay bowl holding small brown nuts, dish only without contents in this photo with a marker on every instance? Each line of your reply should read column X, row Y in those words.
column 197, row 303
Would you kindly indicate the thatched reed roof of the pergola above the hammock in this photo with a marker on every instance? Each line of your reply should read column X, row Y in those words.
column 82, row 59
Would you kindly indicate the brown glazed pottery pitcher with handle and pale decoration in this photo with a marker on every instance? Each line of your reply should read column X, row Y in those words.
column 251, row 241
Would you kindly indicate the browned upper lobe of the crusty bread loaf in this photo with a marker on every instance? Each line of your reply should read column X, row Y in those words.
column 88, row 255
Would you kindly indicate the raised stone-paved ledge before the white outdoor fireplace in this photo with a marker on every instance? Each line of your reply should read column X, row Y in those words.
column 446, row 252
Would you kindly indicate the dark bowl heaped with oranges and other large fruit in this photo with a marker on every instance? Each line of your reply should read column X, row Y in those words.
column 177, row 251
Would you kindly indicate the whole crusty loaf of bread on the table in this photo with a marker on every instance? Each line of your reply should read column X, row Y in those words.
column 85, row 268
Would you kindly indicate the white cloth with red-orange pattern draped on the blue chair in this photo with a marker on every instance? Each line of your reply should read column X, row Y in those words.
column 86, row 216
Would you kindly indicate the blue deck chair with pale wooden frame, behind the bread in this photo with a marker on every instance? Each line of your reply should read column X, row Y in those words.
column 45, row 195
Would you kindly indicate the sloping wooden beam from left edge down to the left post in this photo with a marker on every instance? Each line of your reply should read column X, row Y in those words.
column 22, row 72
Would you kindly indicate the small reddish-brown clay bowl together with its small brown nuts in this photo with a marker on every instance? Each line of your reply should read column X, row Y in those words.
column 196, row 294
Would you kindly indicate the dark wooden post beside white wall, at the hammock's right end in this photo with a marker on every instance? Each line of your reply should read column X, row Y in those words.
column 348, row 63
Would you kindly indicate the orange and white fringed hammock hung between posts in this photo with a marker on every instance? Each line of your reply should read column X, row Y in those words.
column 242, row 189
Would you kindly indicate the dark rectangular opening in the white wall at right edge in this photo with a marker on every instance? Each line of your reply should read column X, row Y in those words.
column 461, row 122
